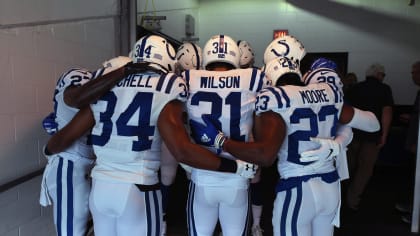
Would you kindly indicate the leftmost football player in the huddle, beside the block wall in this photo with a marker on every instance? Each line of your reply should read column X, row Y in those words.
column 64, row 183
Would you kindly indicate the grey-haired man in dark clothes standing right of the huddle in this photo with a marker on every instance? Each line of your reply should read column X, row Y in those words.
column 375, row 96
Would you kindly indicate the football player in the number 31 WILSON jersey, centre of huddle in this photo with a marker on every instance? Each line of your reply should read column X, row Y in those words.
column 226, row 95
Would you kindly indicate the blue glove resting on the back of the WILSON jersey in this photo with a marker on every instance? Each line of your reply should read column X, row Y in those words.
column 208, row 134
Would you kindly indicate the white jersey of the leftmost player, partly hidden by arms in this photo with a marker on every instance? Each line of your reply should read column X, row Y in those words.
column 64, row 113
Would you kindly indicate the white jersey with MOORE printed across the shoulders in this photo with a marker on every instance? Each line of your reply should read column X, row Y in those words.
column 310, row 111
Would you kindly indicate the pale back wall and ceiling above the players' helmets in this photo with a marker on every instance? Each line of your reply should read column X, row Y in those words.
column 384, row 31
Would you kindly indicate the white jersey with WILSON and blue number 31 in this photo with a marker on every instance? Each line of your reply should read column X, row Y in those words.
column 229, row 97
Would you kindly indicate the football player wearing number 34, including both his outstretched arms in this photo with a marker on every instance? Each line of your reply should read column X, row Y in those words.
column 129, row 122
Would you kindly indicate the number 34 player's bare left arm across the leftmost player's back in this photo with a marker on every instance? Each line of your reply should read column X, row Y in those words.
column 81, row 123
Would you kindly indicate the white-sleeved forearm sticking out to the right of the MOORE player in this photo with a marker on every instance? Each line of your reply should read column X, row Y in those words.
column 359, row 119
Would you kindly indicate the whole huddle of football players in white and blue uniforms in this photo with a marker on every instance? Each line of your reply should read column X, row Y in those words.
column 119, row 133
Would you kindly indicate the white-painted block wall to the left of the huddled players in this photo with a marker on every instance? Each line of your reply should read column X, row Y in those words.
column 39, row 40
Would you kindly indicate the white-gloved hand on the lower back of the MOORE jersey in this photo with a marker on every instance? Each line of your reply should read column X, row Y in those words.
column 327, row 150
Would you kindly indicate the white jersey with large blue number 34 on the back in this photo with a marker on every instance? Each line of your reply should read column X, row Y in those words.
column 125, row 137
